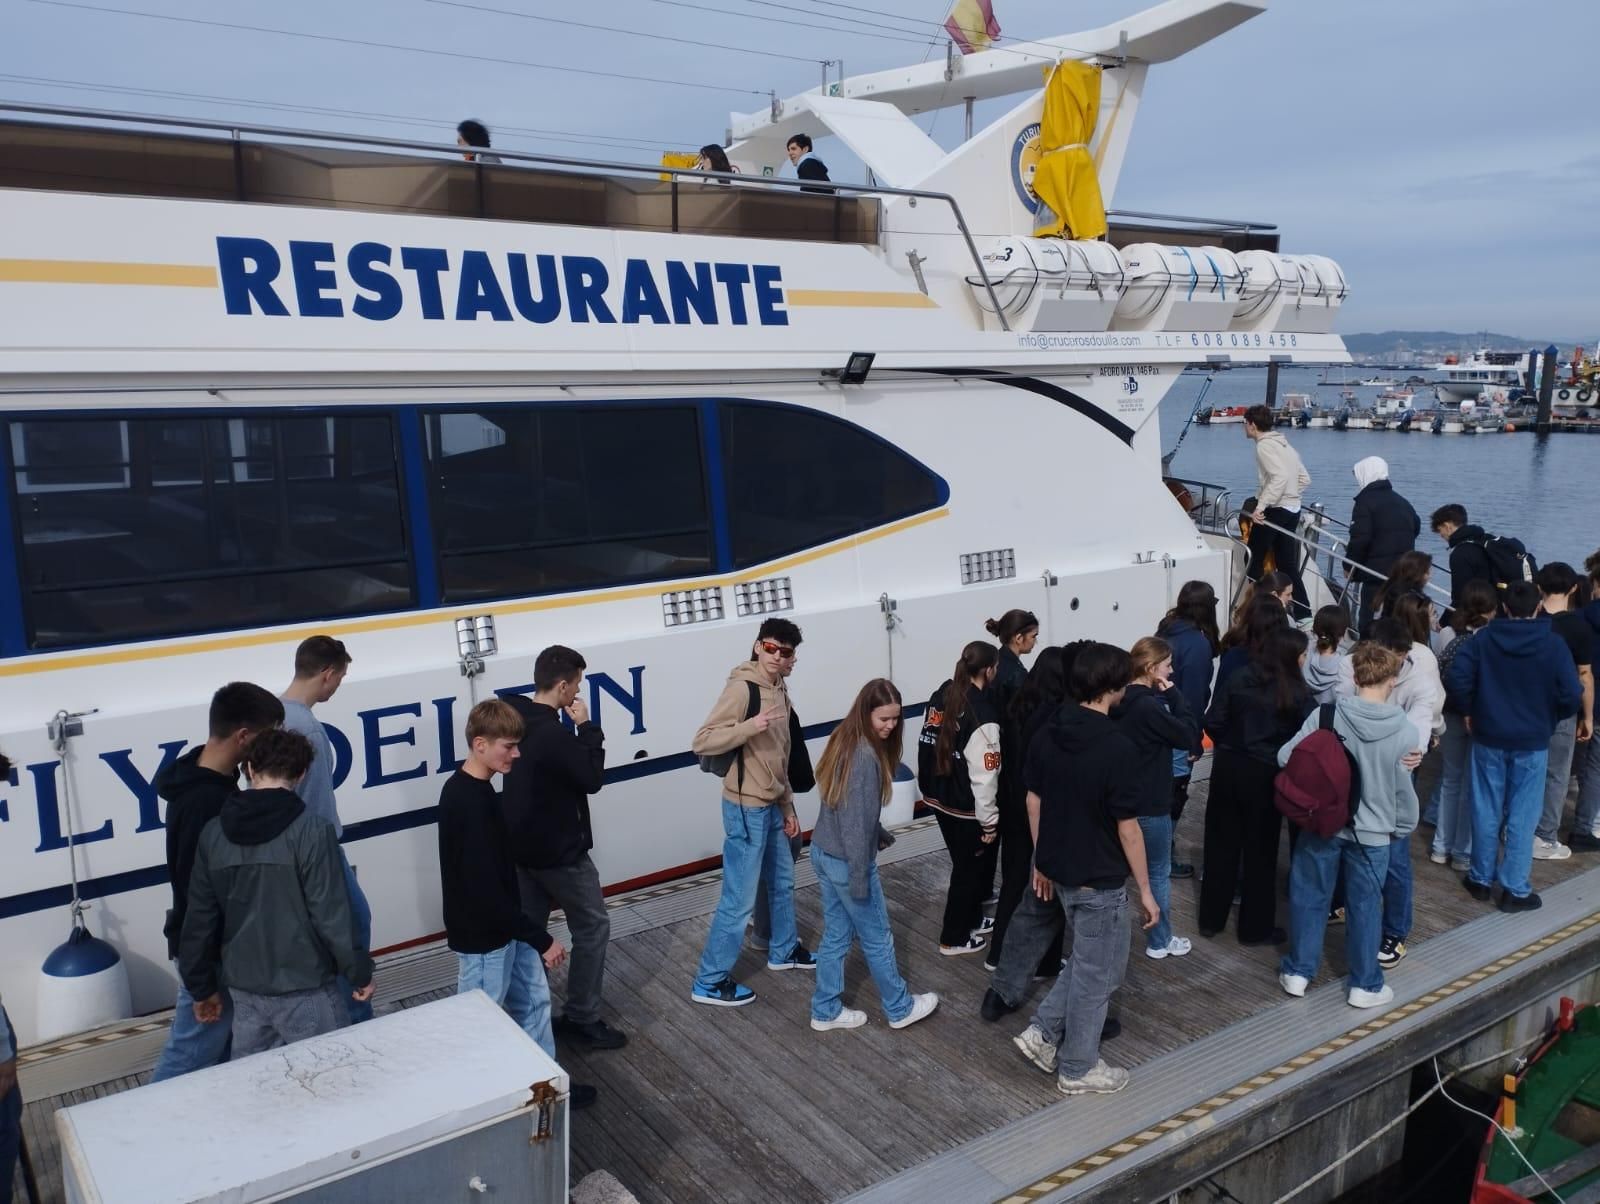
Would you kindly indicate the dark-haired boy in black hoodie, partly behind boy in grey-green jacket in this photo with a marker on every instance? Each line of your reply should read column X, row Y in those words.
column 196, row 787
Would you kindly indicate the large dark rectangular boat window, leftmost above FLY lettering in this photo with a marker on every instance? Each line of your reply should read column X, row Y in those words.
column 137, row 528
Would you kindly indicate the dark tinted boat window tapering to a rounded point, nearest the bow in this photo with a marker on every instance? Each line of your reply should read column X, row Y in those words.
column 798, row 478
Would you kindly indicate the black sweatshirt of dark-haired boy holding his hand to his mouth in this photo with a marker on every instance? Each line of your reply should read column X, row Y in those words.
column 546, row 795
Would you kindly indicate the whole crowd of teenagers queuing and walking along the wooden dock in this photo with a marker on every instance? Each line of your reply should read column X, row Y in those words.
column 1057, row 789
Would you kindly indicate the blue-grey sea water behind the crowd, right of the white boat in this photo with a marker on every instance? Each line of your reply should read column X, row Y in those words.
column 1542, row 489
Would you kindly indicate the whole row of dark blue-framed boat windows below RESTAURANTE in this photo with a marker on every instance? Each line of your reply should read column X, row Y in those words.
column 132, row 526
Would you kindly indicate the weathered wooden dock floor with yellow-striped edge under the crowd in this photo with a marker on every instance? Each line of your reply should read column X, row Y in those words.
column 751, row 1104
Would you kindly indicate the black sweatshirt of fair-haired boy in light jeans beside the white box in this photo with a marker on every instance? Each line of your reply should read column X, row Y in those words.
column 479, row 878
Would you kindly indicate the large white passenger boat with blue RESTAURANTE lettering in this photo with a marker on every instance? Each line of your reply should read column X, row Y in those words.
column 262, row 383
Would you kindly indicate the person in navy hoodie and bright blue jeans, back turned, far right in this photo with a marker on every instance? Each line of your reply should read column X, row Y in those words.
column 1514, row 683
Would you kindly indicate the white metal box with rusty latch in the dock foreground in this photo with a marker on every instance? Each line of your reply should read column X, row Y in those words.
column 442, row 1102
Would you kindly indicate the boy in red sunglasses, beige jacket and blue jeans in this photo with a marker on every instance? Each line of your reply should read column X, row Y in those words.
column 758, row 816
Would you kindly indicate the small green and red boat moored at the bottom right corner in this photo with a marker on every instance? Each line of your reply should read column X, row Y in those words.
column 1553, row 1120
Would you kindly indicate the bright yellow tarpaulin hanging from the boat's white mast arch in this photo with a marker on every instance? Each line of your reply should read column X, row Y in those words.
column 1066, row 182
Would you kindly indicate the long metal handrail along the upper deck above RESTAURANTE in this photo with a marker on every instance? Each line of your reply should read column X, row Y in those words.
column 236, row 129
